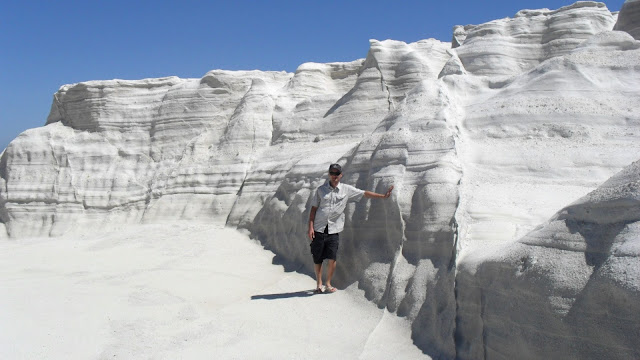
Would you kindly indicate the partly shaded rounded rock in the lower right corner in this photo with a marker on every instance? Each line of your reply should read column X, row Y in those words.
column 558, row 291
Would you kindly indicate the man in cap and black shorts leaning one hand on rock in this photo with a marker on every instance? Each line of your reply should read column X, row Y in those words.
column 326, row 220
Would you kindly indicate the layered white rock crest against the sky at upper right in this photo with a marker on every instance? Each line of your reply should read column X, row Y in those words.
column 512, row 45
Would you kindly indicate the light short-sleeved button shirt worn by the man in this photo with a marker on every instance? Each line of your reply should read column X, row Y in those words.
column 331, row 203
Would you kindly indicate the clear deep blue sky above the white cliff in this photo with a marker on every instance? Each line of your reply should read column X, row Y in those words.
column 46, row 44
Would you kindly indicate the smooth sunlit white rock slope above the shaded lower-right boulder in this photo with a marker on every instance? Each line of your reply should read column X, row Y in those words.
column 547, row 136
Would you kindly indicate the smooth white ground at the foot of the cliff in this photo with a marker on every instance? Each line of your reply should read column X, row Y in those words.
column 179, row 292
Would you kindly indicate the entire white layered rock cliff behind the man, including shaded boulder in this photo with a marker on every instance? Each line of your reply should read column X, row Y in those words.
column 484, row 139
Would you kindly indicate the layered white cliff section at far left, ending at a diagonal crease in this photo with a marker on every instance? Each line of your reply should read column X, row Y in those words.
column 133, row 151
